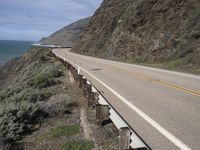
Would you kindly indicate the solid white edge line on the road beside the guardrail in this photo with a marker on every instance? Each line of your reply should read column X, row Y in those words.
column 153, row 123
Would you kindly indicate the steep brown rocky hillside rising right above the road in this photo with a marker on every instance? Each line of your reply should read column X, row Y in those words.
column 153, row 31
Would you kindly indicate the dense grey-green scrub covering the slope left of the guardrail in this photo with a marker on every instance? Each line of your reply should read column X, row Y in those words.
column 26, row 84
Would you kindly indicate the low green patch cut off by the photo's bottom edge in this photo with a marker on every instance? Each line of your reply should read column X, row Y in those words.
column 78, row 145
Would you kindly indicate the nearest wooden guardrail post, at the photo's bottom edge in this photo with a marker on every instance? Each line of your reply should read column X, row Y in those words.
column 124, row 138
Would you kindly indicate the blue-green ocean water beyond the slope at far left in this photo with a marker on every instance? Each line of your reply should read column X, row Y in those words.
column 12, row 49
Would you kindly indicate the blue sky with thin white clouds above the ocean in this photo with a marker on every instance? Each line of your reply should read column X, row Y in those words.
column 31, row 20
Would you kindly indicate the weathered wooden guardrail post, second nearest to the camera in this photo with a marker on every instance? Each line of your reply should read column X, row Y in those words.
column 102, row 113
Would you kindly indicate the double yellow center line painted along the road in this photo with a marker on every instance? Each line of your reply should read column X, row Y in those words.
column 144, row 77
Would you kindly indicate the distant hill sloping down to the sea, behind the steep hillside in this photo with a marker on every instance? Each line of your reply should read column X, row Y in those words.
column 67, row 36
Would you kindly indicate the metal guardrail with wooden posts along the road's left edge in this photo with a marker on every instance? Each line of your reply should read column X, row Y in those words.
column 132, row 139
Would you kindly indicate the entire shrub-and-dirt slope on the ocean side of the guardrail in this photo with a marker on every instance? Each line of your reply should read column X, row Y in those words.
column 42, row 108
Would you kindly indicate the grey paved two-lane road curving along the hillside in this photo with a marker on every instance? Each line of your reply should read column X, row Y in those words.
column 162, row 106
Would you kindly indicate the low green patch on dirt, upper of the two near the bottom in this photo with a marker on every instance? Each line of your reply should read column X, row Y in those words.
column 65, row 130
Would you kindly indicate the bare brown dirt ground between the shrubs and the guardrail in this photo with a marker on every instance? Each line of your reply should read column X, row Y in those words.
column 91, row 135
